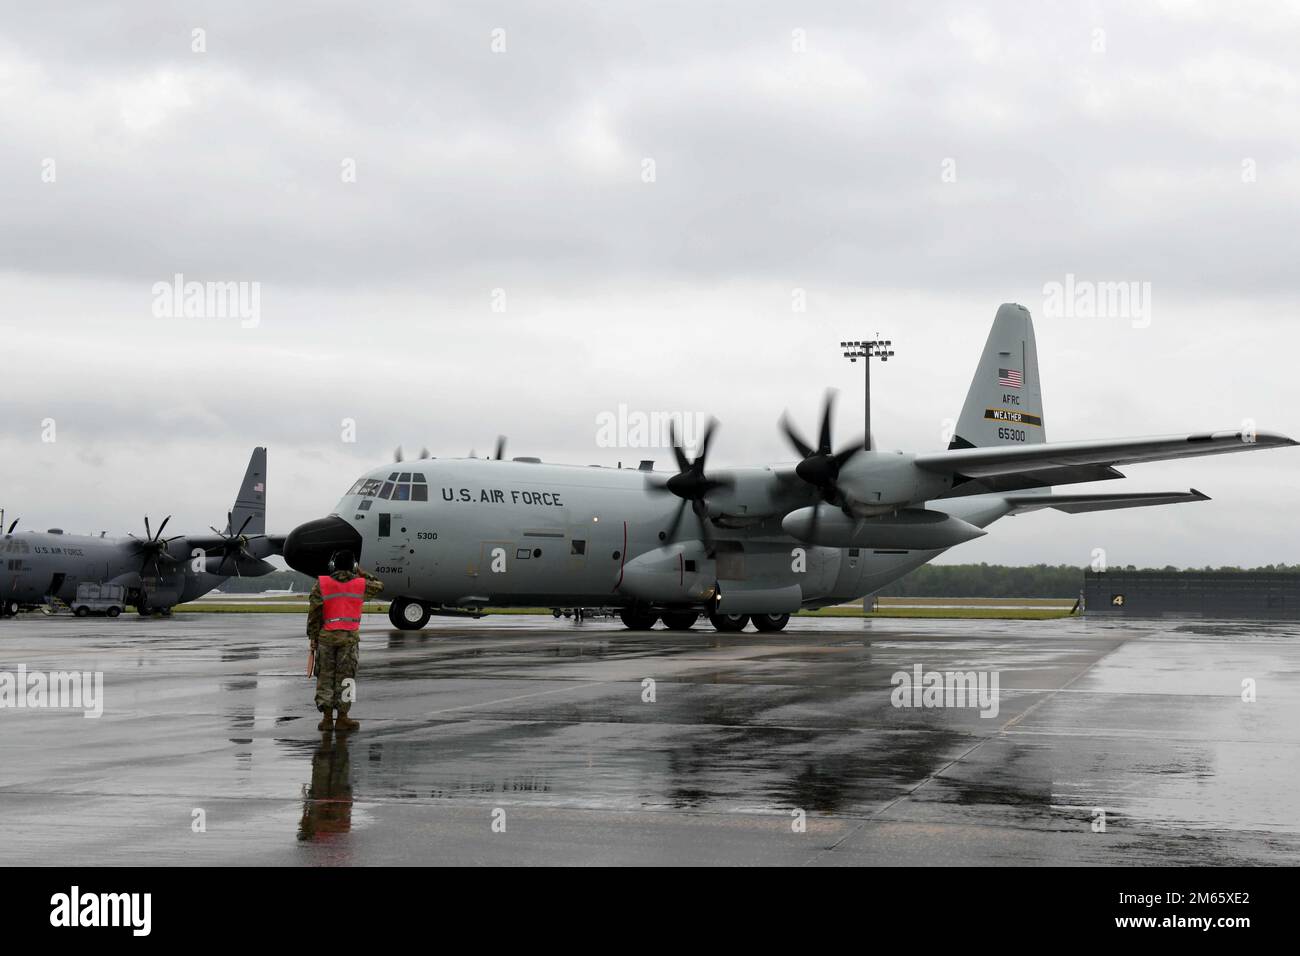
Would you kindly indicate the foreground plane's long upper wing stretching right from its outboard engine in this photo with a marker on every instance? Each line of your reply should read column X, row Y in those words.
column 999, row 461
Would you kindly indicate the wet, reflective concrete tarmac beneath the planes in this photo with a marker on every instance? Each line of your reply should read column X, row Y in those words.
column 527, row 741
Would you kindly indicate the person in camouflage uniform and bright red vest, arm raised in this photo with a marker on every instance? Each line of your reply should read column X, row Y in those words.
column 333, row 624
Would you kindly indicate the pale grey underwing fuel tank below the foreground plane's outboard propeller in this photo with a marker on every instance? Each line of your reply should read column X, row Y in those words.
column 913, row 530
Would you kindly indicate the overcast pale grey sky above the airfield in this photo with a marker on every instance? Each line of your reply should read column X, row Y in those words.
column 473, row 219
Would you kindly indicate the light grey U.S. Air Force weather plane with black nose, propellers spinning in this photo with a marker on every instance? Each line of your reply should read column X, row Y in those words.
column 456, row 537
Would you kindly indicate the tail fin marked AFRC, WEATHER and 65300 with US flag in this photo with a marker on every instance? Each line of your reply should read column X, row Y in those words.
column 1004, row 405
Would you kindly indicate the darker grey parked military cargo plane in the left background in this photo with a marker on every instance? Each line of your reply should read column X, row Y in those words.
column 157, row 572
